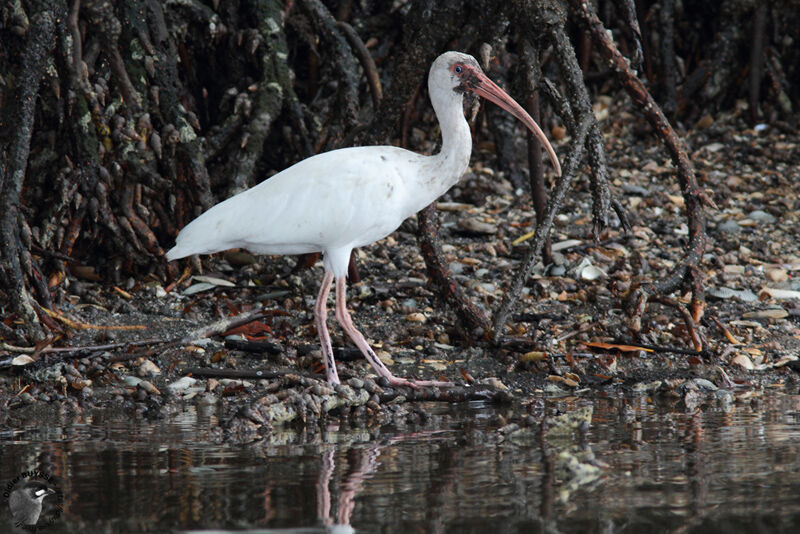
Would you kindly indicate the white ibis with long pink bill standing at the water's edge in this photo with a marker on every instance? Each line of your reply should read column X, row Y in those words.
column 339, row 200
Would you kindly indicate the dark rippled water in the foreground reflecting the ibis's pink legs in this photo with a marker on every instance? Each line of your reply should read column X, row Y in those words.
column 656, row 469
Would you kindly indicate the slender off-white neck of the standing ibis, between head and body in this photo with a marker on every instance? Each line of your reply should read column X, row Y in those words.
column 445, row 169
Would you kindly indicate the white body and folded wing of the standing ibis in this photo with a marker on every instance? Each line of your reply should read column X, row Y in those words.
column 351, row 196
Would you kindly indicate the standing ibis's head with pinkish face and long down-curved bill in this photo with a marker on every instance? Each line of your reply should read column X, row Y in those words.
column 459, row 72
